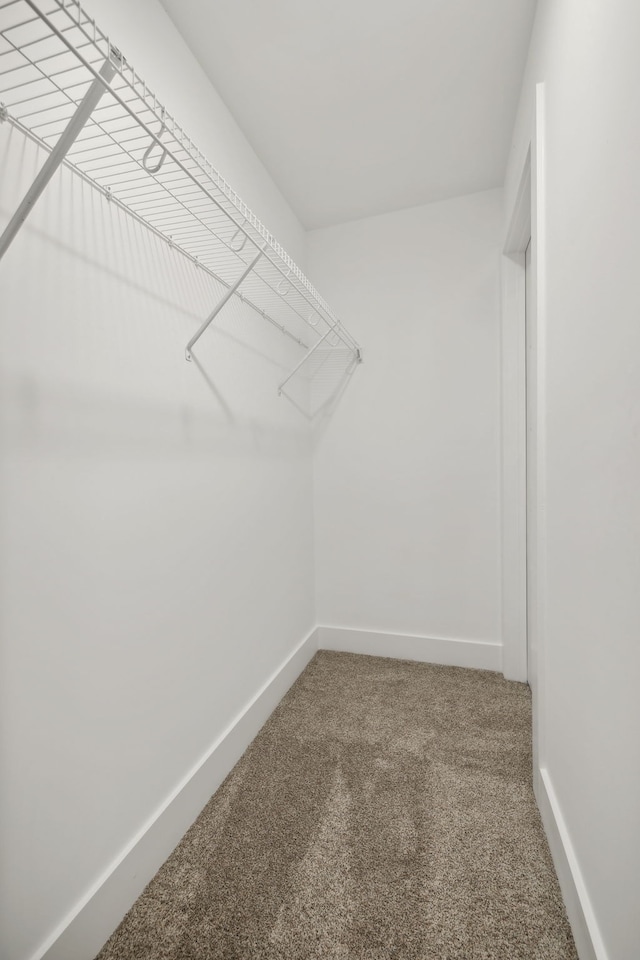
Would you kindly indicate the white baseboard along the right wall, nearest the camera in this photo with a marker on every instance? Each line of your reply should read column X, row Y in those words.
column 581, row 915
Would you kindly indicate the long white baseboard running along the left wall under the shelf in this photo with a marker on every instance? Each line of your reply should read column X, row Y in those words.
column 83, row 932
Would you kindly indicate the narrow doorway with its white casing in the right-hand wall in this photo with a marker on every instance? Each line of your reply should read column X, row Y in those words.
column 523, row 436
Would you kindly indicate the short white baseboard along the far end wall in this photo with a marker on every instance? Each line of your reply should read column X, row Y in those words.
column 453, row 653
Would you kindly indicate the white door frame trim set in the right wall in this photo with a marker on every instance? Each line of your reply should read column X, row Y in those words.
column 525, row 218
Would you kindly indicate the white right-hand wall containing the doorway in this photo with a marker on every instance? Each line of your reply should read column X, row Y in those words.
column 586, row 53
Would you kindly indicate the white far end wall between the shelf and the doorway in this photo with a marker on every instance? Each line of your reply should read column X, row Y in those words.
column 407, row 469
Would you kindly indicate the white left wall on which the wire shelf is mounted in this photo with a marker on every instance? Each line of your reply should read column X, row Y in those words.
column 156, row 521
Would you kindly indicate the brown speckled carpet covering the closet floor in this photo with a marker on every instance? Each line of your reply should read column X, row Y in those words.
column 385, row 812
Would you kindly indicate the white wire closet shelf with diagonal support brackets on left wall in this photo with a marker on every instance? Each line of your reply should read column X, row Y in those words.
column 66, row 86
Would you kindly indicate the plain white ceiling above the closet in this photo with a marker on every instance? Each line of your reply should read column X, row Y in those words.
column 358, row 107
